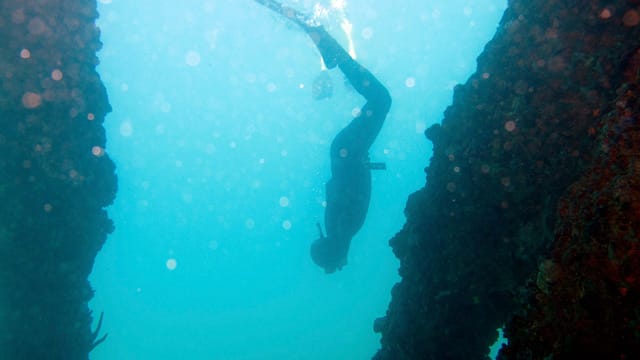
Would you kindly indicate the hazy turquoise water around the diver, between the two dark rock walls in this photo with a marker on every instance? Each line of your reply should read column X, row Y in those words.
column 222, row 156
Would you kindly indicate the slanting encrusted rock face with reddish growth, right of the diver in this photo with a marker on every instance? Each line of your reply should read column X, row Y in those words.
column 505, row 227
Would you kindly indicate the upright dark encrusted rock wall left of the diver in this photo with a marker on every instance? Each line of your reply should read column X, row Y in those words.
column 55, row 177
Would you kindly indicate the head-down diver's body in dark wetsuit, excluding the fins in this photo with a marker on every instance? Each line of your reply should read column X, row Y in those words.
column 349, row 189
